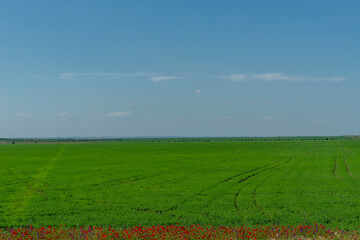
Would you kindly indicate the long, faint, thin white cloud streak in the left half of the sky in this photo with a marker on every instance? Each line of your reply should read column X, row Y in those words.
column 102, row 75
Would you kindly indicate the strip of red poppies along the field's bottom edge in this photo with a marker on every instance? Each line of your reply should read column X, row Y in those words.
column 316, row 231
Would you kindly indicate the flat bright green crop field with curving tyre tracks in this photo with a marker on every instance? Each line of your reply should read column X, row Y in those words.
column 228, row 183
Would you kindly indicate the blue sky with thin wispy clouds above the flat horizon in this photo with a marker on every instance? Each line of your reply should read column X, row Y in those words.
column 179, row 68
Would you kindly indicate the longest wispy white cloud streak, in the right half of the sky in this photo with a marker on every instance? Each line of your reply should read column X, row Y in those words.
column 279, row 77
